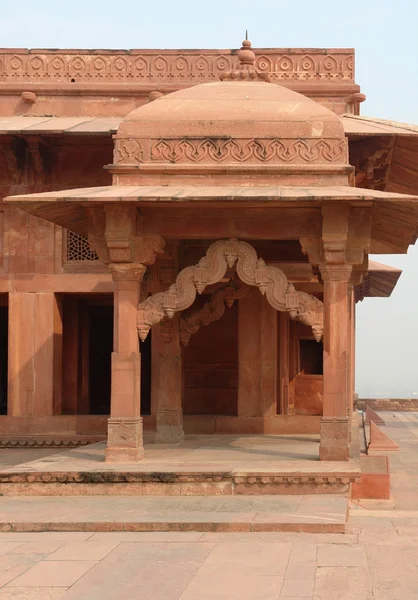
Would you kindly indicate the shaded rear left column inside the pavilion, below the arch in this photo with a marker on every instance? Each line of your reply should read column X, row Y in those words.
column 169, row 425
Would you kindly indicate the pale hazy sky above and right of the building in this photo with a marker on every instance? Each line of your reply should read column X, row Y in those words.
column 384, row 34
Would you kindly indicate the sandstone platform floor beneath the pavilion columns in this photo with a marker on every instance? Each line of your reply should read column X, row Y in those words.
column 226, row 453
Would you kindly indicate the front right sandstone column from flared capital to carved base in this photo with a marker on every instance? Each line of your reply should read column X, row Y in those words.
column 335, row 423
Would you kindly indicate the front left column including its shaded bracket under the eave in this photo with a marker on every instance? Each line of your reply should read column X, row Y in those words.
column 115, row 234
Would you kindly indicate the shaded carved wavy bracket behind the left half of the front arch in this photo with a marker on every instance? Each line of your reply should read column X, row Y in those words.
column 211, row 311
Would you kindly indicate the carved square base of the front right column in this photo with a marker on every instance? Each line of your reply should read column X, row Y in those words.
column 335, row 435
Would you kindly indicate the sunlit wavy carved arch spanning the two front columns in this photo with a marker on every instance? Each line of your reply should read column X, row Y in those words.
column 251, row 270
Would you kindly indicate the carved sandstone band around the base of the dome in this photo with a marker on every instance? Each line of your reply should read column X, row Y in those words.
column 215, row 150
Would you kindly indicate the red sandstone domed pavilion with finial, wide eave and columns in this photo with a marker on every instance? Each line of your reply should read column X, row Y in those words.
column 237, row 241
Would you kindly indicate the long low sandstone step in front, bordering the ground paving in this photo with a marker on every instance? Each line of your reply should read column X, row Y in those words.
column 297, row 513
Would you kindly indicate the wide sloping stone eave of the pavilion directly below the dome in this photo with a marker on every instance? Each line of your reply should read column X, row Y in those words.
column 394, row 223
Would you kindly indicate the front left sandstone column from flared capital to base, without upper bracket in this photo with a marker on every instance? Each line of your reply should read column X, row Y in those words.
column 125, row 435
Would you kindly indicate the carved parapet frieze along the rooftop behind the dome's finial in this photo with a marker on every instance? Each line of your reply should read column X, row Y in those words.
column 170, row 67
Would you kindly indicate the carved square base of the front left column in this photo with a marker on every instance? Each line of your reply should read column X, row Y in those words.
column 124, row 439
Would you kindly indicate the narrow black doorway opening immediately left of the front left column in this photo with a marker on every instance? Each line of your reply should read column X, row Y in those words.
column 100, row 356
